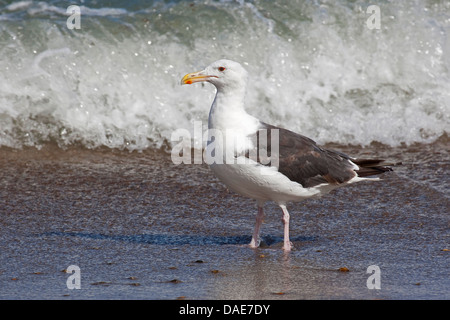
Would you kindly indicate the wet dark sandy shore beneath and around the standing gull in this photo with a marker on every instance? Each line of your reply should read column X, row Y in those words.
column 140, row 227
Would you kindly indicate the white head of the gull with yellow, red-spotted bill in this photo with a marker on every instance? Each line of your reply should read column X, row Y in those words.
column 224, row 74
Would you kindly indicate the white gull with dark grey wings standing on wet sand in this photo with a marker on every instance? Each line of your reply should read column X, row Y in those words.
column 239, row 144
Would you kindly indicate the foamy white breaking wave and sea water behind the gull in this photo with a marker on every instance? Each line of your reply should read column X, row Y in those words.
column 315, row 67
